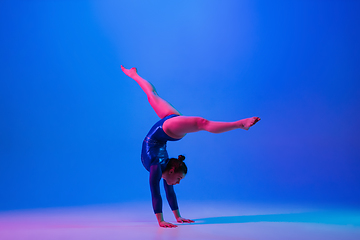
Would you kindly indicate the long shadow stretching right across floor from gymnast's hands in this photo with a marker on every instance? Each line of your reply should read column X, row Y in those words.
column 338, row 218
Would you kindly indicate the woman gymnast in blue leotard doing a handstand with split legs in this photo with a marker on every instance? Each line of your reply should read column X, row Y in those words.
column 172, row 127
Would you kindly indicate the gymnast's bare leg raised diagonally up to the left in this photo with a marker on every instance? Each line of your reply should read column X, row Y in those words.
column 160, row 106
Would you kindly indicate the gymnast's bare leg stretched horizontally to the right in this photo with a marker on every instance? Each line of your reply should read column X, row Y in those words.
column 177, row 127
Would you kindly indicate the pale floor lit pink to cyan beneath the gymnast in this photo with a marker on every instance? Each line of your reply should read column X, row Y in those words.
column 216, row 220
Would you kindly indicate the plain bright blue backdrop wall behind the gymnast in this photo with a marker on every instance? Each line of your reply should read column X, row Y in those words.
column 72, row 123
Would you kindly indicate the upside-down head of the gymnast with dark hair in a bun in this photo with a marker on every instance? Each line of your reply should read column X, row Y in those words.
column 175, row 170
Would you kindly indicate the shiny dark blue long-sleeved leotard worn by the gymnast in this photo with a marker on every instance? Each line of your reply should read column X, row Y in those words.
column 155, row 158
